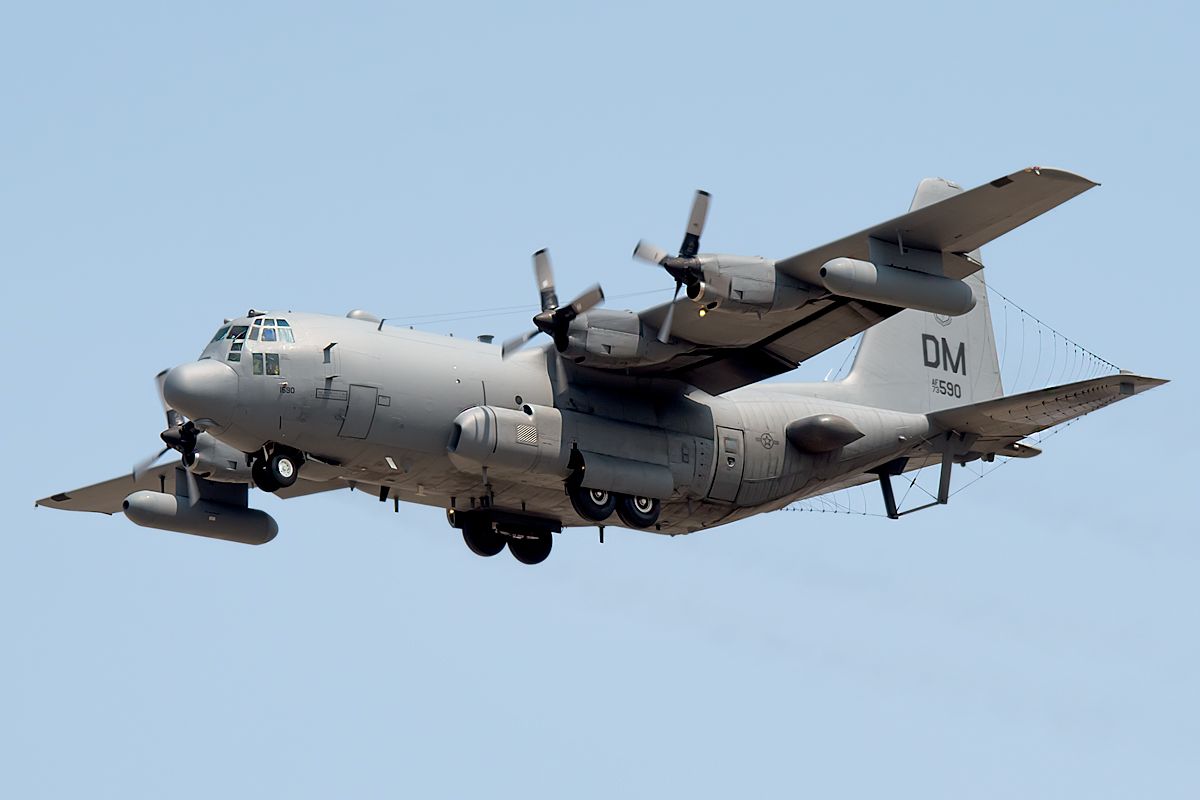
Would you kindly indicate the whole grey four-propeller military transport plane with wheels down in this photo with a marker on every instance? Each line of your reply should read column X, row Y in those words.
column 647, row 420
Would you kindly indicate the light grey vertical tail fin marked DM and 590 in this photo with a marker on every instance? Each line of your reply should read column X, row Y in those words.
column 921, row 363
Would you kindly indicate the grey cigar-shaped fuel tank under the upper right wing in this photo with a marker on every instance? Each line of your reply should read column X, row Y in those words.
column 851, row 278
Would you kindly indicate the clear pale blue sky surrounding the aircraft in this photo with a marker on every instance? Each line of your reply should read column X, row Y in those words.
column 164, row 167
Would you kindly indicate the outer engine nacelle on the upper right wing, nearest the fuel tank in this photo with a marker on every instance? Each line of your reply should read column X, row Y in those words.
column 746, row 284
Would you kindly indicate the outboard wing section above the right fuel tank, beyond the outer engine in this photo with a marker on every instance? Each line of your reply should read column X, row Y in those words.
column 956, row 226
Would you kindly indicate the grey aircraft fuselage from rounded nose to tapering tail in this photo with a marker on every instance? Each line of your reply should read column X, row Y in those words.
column 382, row 407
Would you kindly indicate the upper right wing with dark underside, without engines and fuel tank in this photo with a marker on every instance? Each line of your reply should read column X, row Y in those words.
column 742, row 348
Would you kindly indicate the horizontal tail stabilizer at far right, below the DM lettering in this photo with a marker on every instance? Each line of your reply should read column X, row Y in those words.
column 1021, row 416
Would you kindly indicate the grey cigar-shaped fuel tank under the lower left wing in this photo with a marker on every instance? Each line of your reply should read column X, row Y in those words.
column 206, row 519
